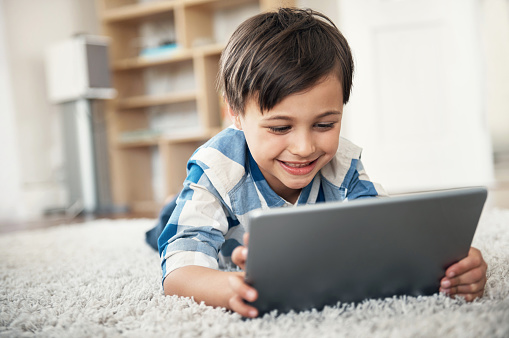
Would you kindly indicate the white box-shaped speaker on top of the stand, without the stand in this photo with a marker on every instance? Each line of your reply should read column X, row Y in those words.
column 78, row 68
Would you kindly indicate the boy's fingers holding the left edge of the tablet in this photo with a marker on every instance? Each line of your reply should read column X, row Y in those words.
column 242, row 291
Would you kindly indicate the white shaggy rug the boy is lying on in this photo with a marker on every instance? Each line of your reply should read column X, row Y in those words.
column 100, row 279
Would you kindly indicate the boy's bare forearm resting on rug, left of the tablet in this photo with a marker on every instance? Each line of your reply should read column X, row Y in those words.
column 204, row 284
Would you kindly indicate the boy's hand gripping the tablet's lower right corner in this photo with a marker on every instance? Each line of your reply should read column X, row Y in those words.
column 466, row 278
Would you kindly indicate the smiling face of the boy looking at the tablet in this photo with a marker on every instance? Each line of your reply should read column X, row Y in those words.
column 294, row 140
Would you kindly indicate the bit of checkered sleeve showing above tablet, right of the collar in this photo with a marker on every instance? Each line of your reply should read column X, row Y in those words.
column 359, row 184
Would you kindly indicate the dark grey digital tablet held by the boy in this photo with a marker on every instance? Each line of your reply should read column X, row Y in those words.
column 315, row 255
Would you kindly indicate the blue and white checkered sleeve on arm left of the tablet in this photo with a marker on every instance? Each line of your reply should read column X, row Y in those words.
column 196, row 229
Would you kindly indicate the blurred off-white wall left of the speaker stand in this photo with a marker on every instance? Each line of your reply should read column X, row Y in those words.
column 28, row 27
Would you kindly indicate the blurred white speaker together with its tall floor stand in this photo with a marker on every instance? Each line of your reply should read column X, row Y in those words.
column 78, row 75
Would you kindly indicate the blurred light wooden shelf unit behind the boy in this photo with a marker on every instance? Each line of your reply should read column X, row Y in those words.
column 132, row 159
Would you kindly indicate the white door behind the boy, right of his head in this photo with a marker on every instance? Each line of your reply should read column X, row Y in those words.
column 417, row 101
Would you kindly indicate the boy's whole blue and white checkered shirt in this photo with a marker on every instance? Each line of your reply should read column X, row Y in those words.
column 224, row 183
